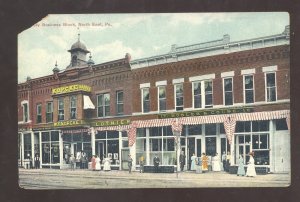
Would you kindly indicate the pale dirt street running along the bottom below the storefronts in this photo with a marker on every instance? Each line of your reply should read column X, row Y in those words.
column 87, row 179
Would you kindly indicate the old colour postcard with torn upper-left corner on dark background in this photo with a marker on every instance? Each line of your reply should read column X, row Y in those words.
column 183, row 100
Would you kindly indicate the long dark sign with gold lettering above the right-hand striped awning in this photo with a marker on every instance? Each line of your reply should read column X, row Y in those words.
column 206, row 112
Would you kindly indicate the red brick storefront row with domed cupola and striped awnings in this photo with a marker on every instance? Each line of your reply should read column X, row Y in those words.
column 212, row 97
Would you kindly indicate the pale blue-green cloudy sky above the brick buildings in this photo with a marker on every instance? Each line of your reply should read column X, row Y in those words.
column 110, row 36
